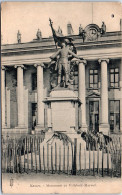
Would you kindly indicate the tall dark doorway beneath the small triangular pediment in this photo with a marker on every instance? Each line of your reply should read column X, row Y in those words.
column 94, row 116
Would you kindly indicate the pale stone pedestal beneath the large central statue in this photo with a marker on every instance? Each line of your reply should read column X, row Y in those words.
column 63, row 113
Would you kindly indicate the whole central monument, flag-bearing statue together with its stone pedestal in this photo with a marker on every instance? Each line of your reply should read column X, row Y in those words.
column 63, row 104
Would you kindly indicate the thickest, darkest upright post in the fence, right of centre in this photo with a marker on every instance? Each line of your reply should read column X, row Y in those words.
column 75, row 156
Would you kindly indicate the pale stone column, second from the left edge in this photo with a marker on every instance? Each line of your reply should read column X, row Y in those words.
column 20, row 96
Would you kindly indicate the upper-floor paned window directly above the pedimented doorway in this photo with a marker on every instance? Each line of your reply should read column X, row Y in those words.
column 93, row 78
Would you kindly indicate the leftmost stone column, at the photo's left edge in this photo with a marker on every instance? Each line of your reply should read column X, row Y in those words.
column 3, row 95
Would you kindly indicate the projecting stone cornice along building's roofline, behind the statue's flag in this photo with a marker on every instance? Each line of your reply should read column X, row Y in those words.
column 49, row 46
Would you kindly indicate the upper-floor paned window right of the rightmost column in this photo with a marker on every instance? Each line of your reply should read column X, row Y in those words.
column 114, row 77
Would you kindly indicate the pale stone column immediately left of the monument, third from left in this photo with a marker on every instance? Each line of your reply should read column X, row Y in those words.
column 40, row 104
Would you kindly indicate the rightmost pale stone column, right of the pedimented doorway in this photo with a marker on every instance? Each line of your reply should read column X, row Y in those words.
column 104, row 124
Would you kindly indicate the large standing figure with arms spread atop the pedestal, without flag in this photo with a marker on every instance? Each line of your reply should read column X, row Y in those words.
column 63, row 63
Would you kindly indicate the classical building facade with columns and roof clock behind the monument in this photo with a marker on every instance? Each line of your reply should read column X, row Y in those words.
column 96, row 80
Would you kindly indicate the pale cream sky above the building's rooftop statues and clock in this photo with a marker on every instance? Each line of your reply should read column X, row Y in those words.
column 29, row 16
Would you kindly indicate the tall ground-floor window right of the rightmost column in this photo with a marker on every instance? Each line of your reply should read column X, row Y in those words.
column 114, row 116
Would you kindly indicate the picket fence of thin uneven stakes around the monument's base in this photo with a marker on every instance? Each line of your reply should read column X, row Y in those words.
column 31, row 155
